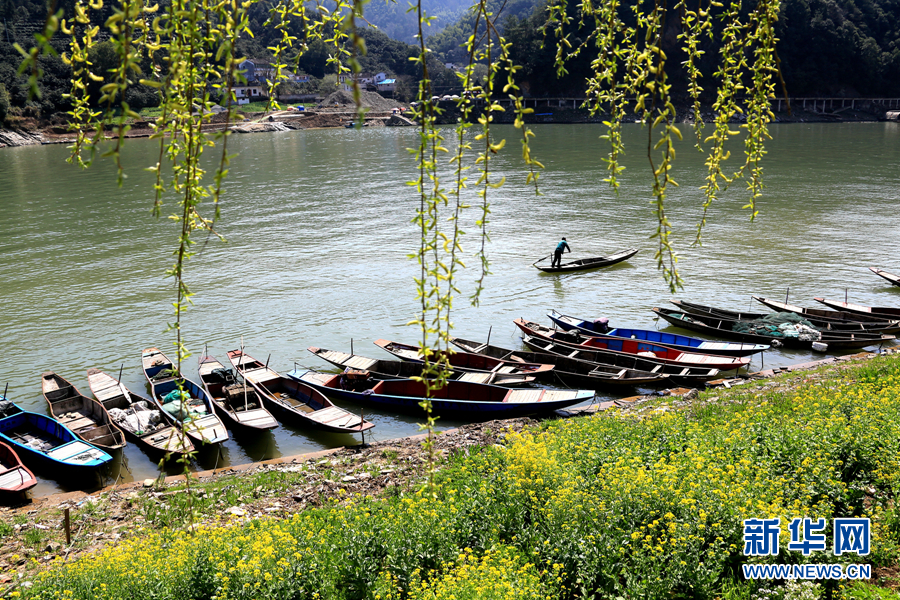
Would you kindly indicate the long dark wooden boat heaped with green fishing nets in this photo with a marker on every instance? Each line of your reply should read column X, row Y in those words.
column 760, row 331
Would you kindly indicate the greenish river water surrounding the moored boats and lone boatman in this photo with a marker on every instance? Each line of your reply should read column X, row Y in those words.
column 318, row 230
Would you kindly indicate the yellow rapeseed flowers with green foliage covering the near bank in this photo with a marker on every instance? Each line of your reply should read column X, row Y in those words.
column 622, row 505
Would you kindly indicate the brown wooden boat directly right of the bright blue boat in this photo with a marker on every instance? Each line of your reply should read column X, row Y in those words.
column 84, row 416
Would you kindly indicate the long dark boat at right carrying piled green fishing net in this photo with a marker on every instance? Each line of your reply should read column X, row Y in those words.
column 726, row 327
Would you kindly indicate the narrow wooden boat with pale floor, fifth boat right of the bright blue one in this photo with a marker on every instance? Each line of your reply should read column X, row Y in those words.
column 237, row 403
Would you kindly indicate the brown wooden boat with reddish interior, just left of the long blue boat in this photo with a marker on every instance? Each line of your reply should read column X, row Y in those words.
column 294, row 400
